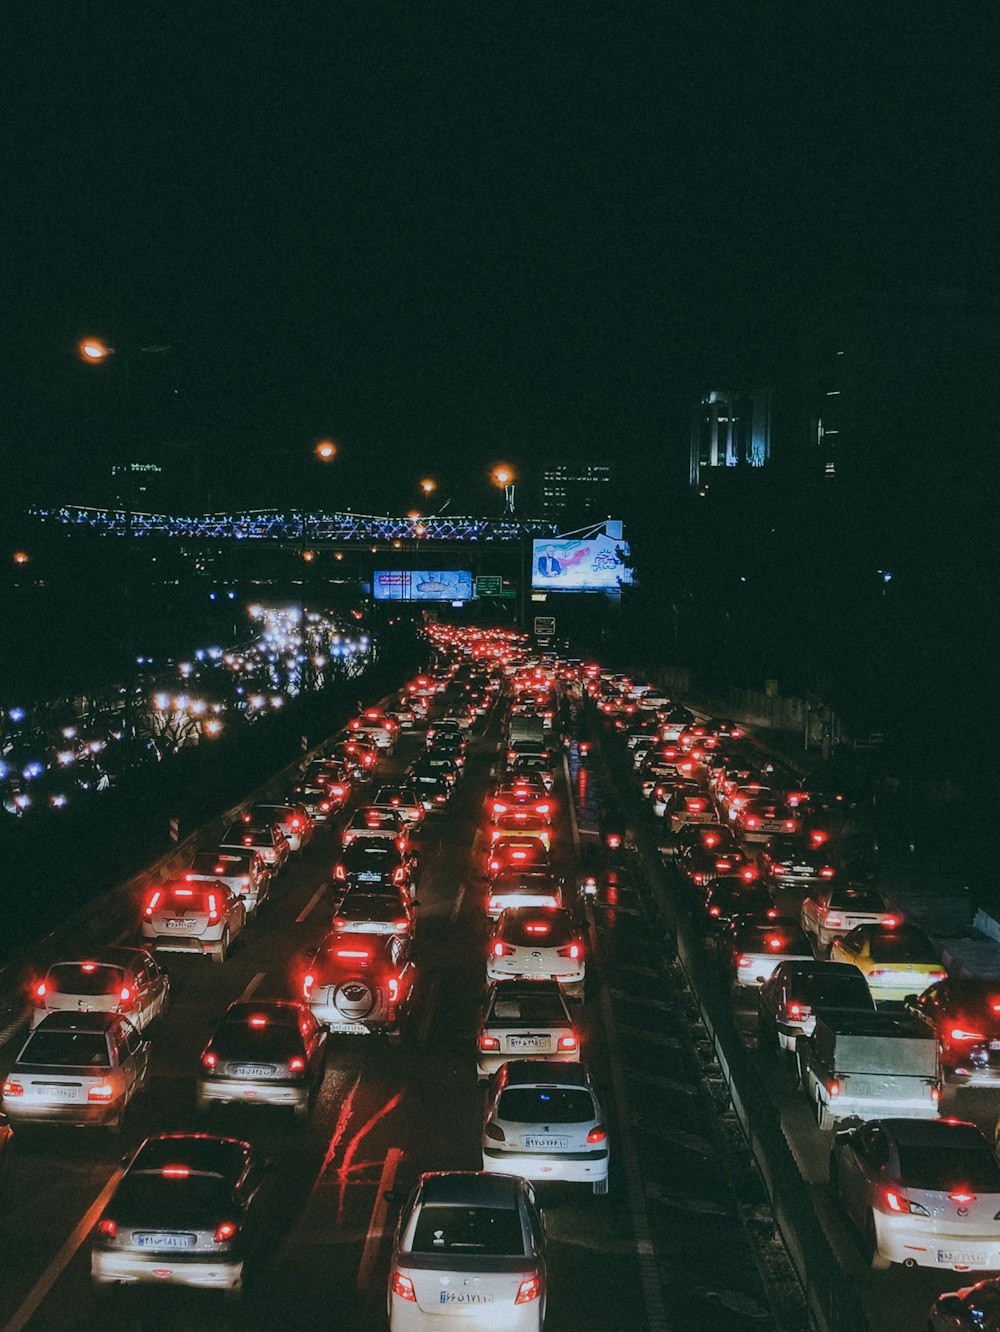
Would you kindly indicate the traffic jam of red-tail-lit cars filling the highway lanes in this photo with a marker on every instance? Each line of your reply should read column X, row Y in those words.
column 408, row 1033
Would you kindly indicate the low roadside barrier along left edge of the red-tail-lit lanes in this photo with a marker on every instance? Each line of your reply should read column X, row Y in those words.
column 115, row 914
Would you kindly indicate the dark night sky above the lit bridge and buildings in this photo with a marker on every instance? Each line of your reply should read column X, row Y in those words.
column 453, row 235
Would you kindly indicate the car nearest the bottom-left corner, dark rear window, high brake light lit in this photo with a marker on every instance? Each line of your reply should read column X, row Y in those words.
column 191, row 1210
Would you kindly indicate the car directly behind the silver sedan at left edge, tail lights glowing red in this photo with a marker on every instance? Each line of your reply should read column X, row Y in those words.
column 126, row 981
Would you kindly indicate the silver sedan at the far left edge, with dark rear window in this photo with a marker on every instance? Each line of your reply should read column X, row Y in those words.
column 78, row 1069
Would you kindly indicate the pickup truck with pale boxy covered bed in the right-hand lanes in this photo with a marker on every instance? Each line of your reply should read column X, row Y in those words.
column 868, row 1065
